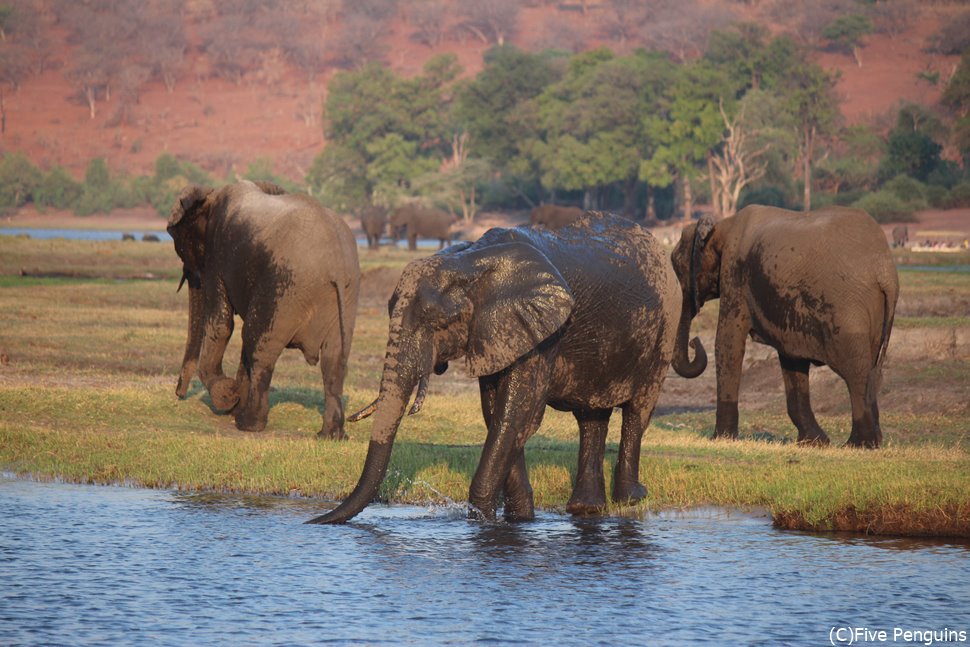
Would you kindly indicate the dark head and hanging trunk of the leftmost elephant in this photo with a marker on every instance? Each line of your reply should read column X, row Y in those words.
column 187, row 226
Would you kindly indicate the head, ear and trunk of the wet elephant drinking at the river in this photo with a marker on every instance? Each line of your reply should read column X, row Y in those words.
column 489, row 304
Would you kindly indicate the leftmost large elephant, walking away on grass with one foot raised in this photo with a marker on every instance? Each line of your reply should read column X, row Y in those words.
column 285, row 265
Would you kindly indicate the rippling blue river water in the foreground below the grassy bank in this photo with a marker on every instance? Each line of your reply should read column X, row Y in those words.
column 83, row 564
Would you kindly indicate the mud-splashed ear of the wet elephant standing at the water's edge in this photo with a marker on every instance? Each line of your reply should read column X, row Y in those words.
column 518, row 300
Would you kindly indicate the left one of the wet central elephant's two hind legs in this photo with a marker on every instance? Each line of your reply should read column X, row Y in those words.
column 589, row 492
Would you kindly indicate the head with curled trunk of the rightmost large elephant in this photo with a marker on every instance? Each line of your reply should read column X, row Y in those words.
column 696, row 260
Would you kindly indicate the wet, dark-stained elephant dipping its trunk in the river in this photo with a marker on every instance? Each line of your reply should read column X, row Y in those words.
column 582, row 320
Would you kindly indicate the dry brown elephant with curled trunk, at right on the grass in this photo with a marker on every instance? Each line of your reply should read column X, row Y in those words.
column 819, row 287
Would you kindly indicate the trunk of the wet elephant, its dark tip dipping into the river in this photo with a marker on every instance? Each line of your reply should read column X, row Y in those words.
column 397, row 384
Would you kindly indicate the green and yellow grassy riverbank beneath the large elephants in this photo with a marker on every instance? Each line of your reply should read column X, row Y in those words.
column 90, row 358
